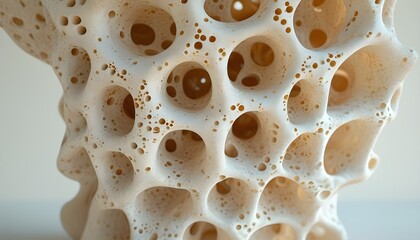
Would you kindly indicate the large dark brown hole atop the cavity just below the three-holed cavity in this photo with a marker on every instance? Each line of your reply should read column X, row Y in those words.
column 245, row 126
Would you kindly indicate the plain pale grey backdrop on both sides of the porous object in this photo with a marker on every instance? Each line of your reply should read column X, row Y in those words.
column 31, row 131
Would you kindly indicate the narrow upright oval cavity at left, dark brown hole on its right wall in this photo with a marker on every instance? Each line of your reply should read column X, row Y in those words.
column 118, row 111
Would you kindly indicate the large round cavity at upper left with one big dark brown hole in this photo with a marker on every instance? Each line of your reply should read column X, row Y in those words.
column 151, row 29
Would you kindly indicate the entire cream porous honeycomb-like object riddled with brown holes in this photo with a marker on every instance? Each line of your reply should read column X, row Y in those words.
column 215, row 119
